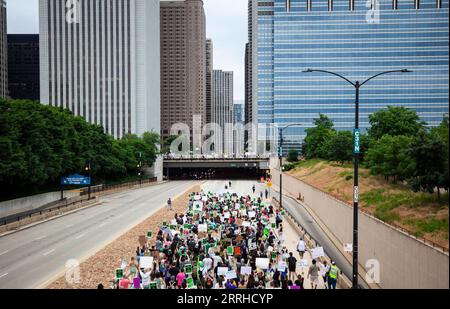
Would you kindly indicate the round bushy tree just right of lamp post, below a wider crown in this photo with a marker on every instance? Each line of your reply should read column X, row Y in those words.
column 389, row 156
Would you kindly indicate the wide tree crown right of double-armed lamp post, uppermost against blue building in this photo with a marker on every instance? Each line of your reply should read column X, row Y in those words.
column 394, row 121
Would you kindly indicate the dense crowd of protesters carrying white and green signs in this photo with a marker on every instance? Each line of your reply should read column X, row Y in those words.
column 222, row 241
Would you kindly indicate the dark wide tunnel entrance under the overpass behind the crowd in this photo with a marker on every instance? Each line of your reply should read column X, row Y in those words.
column 214, row 173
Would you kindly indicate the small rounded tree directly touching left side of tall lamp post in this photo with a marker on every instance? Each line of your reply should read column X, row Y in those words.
column 339, row 147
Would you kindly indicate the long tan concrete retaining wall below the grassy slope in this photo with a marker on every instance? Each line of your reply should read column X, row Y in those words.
column 405, row 262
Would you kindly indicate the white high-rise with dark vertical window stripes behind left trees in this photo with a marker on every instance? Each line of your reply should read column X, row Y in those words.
column 100, row 59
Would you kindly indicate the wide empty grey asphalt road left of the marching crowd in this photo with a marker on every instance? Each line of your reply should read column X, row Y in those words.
column 33, row 256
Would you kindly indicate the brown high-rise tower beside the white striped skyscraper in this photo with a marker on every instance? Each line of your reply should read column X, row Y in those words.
column 183, row 64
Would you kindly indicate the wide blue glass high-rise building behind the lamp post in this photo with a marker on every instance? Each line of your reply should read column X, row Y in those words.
column 345, row 37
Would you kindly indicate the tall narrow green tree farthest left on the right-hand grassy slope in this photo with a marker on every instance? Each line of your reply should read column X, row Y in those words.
column 313, row 146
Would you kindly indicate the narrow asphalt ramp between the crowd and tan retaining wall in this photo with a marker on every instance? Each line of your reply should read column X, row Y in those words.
column 315, row 231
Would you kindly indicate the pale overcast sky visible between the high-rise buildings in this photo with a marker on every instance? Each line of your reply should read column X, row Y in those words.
column 226, row 25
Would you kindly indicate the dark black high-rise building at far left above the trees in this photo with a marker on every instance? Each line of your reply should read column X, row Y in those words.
column 23, row 66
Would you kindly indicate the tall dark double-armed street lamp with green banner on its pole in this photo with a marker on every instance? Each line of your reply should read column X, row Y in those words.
column 357, row 86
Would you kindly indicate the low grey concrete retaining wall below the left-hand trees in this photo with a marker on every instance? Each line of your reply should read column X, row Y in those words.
column 19, row 205
